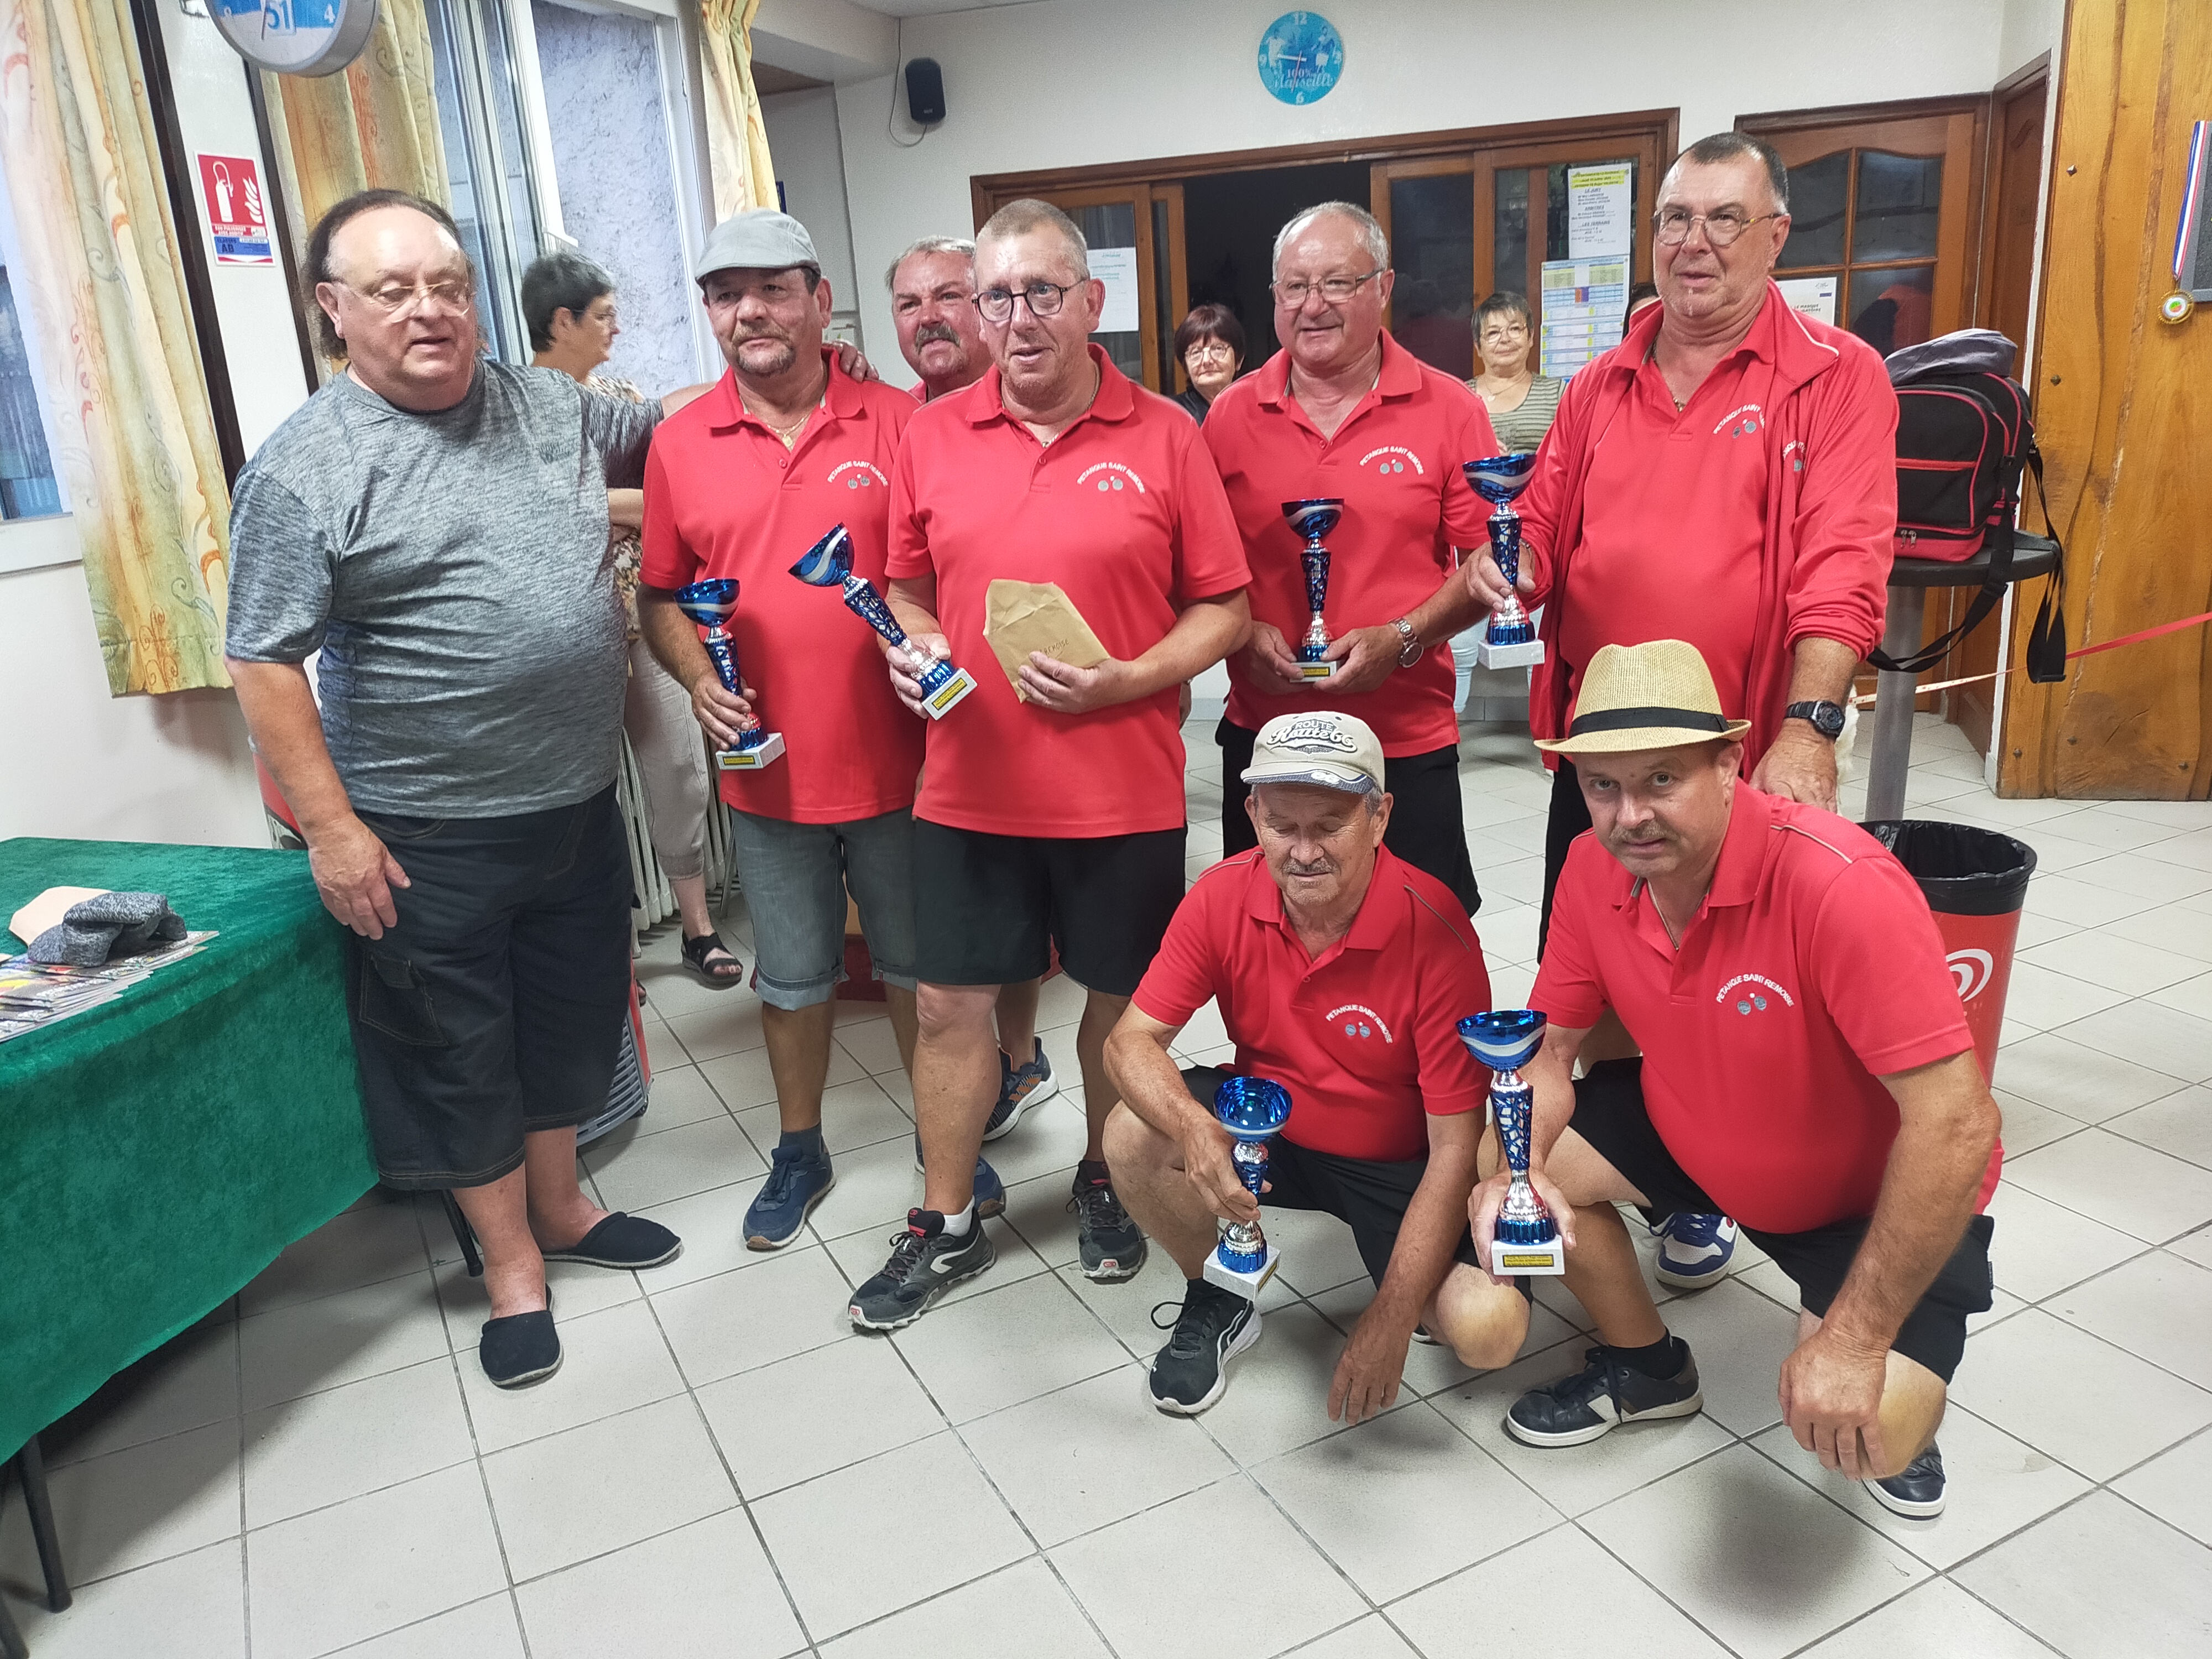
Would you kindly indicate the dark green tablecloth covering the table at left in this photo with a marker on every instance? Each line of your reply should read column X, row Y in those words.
column 158, row 1151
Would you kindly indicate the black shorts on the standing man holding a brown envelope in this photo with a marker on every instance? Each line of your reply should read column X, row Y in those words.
column 990, row 910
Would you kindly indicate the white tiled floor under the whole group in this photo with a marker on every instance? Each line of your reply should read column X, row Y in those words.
column 727, row 1470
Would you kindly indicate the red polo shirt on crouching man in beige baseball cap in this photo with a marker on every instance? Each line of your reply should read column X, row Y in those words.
column 1366, row 1034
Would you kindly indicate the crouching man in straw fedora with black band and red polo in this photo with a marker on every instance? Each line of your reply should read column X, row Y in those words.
column 1806, row 1070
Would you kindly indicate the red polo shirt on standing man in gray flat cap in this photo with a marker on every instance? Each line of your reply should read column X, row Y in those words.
column 727, row 499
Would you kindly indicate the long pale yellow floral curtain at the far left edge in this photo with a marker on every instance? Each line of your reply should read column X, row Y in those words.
column 134, row 435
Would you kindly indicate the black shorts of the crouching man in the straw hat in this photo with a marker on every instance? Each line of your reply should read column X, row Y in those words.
column 1611, row 1118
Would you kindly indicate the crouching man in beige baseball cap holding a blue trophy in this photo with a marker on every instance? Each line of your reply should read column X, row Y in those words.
column 1342, row 974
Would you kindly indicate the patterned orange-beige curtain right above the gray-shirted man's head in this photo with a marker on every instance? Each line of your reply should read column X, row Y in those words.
column 373, row 127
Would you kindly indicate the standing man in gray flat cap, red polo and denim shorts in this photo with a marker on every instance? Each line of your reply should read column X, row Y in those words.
column 744, row 481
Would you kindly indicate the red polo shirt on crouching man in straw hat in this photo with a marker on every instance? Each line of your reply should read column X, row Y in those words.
column 1811, row 972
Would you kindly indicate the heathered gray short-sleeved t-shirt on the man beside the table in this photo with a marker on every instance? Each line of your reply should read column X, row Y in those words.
column 455, row 572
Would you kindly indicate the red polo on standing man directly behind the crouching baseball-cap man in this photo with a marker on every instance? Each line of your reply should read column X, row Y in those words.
column 1397, row 466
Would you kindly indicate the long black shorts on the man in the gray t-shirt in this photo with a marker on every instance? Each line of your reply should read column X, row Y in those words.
column 494, row 1008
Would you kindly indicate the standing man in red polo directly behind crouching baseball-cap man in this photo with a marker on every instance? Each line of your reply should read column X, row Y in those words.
column 1344, row 410
